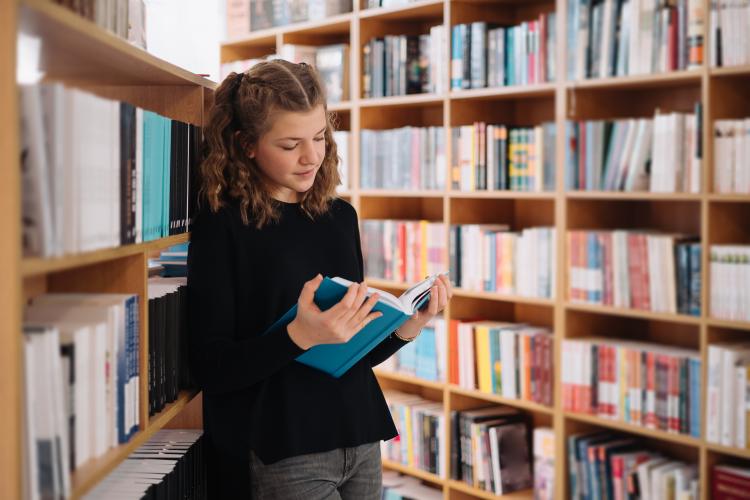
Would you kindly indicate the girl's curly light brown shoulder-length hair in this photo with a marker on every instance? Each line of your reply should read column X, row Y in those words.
column 243, row 111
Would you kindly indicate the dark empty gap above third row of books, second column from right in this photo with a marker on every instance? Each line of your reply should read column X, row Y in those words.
column 672, row 216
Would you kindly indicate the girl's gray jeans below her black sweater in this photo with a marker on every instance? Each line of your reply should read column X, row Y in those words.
column 344, row 473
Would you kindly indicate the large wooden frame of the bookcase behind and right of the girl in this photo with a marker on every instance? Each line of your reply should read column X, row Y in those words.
column 716, row 218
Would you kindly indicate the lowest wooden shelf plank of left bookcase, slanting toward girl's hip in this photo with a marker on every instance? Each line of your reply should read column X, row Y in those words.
column 88, row 475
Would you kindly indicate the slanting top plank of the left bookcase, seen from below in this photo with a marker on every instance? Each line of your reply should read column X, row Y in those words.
column 76, row 50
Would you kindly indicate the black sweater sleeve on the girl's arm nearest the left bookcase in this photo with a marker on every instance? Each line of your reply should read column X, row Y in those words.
column 220, row 362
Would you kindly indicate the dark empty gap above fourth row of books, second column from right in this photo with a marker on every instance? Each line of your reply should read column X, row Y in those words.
column 586, row 324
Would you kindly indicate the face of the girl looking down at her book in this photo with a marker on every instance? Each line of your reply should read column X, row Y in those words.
column 291, row 152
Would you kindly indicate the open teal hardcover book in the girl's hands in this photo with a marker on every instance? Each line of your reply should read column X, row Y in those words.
column 336, row 359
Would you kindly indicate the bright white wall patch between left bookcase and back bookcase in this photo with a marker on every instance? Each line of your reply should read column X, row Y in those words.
column 186, row 33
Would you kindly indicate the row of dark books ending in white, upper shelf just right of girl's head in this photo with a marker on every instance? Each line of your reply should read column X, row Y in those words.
column 403, row 64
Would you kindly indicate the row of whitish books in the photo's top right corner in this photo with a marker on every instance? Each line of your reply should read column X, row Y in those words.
column 730, row 41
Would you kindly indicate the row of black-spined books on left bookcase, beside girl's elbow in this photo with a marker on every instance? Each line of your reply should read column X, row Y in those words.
column 168, row 346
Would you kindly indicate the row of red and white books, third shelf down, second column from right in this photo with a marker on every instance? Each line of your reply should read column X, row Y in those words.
column 635, row 269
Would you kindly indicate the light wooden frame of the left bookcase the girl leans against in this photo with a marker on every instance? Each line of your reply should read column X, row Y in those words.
column 82, row 55
